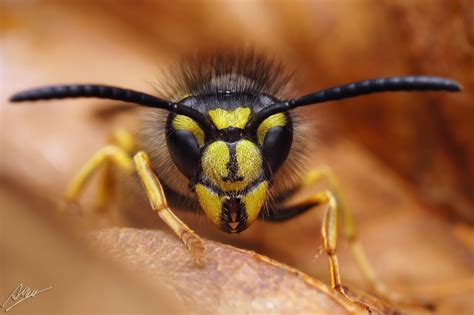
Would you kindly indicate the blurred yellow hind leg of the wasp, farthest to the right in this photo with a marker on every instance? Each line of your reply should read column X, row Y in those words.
column 350, row 232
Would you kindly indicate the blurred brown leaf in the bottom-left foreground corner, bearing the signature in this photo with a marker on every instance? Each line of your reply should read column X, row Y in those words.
column 41, row 253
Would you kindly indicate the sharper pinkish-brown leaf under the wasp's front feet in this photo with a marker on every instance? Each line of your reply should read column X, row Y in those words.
column 231, row 280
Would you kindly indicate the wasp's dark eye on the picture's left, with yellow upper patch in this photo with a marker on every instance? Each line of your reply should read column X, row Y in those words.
column 184, row 145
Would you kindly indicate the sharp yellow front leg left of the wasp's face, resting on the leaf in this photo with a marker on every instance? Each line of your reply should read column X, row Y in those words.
column 157, row 198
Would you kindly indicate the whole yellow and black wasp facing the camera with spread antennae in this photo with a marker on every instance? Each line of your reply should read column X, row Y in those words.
column 227, row 140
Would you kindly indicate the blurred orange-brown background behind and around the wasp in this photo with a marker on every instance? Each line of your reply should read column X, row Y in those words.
column 405, row 160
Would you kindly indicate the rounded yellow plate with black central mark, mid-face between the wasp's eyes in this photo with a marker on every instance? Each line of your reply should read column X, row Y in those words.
column 247, row 165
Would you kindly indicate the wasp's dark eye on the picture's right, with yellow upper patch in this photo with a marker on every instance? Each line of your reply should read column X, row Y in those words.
column 275, row 134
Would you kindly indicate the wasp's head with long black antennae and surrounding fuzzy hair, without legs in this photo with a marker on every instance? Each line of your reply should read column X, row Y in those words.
column 228, row 135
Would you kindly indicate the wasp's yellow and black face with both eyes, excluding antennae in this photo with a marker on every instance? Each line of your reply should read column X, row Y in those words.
column 230, row 165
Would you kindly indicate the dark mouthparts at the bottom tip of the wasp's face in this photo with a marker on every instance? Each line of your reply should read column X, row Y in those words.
column 233, row 216
